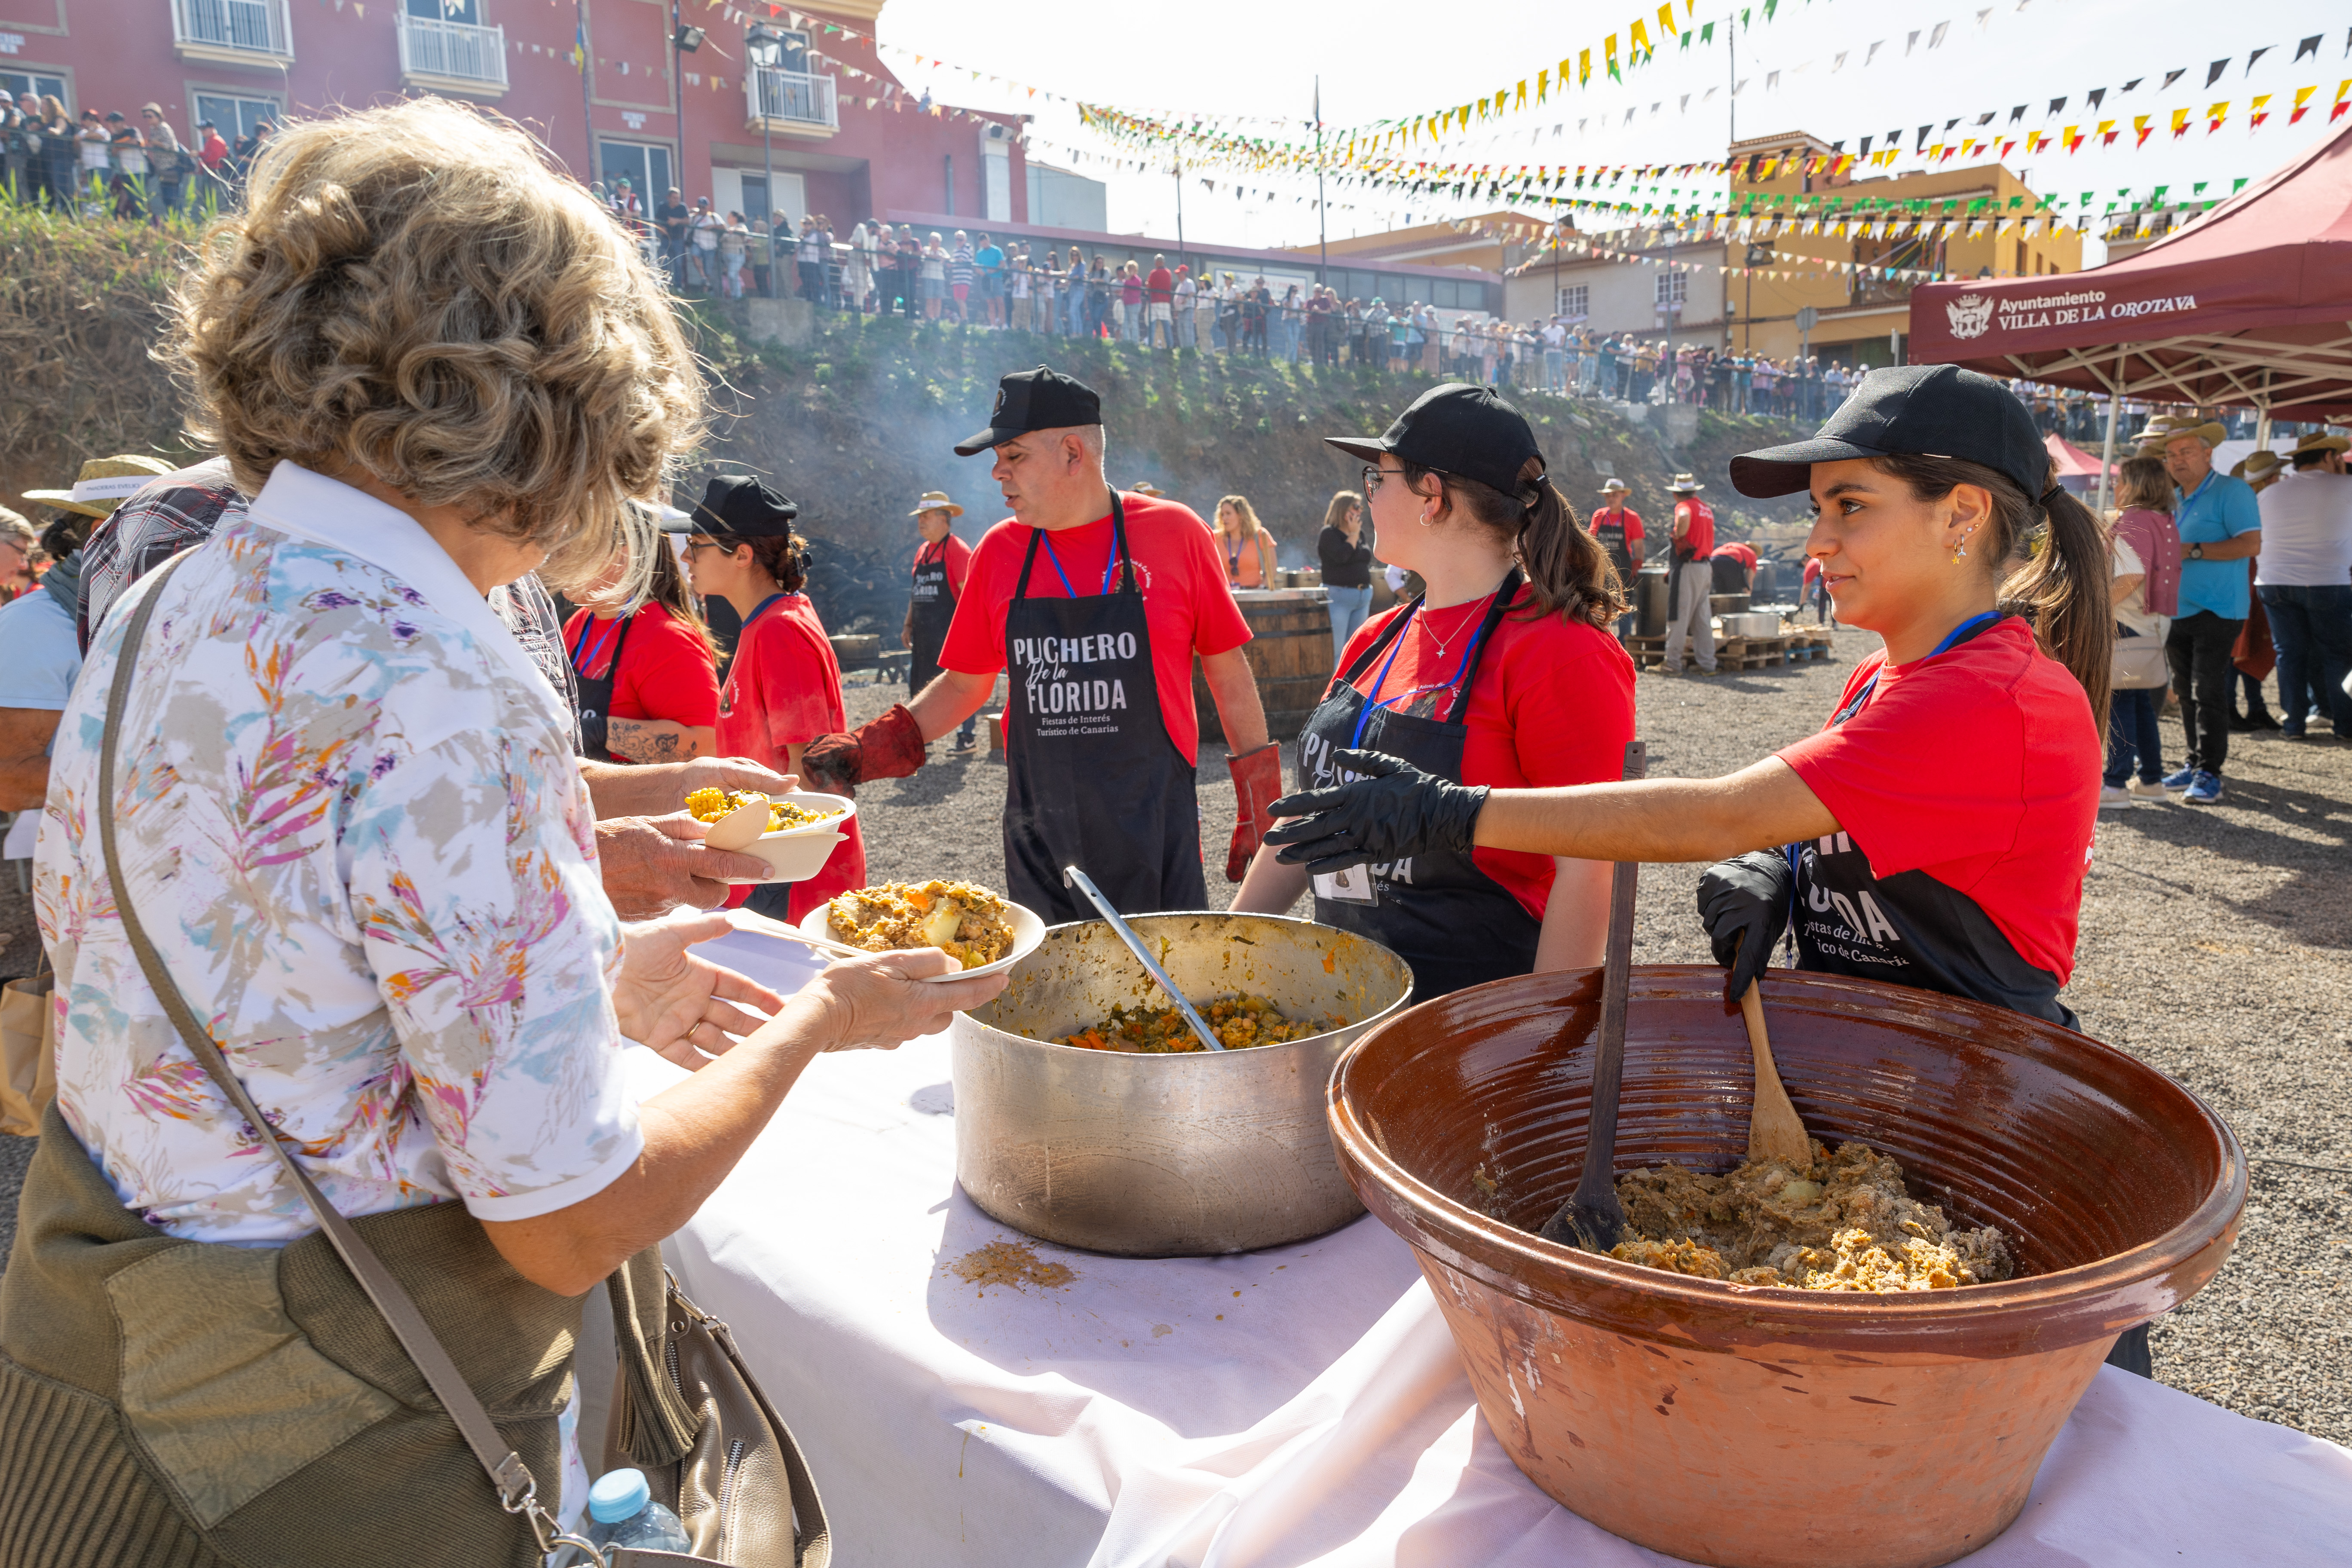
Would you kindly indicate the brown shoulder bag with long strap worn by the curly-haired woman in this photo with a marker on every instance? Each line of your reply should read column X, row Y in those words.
column 744, row 1489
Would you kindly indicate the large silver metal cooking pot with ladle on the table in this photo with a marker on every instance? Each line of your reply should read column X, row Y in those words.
column 1165, row 1155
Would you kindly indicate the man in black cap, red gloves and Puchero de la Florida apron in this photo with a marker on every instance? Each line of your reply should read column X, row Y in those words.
column 1097, row 603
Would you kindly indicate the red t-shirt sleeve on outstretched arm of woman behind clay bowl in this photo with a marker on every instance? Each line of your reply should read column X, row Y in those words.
column 1918, row 775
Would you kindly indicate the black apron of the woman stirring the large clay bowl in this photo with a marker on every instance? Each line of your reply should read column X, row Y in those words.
column 1909, row 930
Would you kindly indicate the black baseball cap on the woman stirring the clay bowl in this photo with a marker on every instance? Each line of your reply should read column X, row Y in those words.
column 1911, row 410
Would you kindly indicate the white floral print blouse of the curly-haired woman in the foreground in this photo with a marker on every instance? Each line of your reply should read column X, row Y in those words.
column 352, row 822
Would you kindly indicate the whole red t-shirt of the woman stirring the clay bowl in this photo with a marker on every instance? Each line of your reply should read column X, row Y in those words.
column 1977, row 768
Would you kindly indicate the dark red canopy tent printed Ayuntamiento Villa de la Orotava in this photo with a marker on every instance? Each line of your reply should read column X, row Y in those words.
column 2250, row 304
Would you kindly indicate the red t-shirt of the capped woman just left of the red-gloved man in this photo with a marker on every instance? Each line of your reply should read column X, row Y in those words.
column 784, row 690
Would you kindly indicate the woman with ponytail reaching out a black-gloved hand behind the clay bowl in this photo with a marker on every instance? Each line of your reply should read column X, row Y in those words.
column 1937, row 831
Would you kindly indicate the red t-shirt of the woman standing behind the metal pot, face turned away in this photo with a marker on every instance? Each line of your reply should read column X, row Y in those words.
column 1551, row 706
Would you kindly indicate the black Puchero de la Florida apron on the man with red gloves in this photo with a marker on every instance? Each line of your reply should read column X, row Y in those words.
column 1095, row 777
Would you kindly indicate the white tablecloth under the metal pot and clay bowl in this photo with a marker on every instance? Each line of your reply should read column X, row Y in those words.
column 1264, row 1412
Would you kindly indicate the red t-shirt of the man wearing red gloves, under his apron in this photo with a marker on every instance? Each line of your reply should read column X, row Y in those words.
column 1187, row 603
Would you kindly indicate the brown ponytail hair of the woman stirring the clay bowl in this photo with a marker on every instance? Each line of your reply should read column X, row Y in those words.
column 2062, row 587
